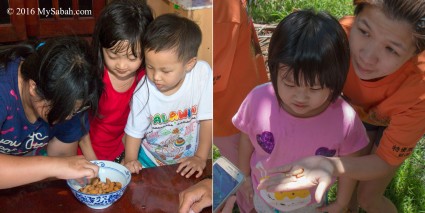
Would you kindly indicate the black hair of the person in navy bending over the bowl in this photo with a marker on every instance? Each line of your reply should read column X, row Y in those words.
column 63, row 71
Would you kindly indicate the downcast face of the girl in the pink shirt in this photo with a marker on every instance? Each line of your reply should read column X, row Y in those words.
column 304, row 100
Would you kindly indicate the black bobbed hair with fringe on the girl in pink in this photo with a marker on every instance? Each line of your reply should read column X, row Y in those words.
column 311, row 45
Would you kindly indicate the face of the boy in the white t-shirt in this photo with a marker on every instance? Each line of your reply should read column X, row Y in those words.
column 166, row 71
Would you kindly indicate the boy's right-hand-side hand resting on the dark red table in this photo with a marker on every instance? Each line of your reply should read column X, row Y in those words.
column 193, row 164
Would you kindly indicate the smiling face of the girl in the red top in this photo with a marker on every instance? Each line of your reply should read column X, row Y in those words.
column 120, row 61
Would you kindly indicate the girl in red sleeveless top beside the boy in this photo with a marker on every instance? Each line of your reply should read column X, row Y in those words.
column 117, row 41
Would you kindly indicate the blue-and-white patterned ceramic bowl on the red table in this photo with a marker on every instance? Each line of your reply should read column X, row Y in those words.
column 107, row 169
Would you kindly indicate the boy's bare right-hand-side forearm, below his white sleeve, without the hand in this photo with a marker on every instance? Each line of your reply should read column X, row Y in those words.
column 205, row 140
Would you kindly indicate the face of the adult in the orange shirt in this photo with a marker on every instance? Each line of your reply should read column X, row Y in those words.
column 379, row 45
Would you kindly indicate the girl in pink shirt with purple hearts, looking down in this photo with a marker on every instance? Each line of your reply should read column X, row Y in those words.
column 300, row 113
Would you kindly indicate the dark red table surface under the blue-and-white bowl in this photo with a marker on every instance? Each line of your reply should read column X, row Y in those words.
column 152, row 190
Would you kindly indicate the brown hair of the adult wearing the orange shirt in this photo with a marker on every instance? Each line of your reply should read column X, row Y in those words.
column 411, row 11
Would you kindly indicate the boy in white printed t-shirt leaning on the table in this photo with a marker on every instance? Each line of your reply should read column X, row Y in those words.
column 171, row 111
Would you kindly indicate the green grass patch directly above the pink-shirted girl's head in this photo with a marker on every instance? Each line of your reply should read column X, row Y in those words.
column 273, row 11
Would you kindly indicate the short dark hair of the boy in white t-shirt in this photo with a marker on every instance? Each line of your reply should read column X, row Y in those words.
column 171, row 31
